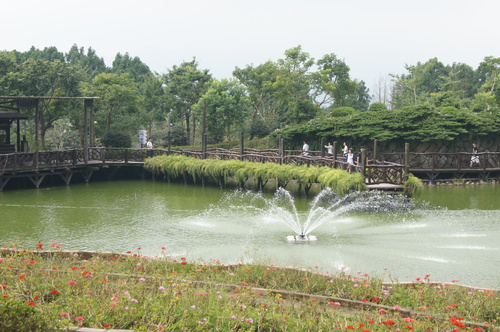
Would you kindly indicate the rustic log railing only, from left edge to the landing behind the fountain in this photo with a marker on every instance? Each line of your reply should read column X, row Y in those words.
column 379, row 172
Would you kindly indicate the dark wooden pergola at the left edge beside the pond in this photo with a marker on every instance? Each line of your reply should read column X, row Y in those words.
column 10, row 111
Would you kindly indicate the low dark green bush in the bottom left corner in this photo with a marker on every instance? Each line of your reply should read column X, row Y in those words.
column 17, row 316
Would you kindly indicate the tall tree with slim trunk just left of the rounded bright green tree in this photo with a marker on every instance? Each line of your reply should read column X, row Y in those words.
column 184, row 85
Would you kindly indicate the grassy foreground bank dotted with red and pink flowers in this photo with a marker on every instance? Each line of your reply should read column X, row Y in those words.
column 45, row 289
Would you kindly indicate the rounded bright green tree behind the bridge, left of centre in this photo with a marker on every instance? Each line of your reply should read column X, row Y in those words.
column 226, row 106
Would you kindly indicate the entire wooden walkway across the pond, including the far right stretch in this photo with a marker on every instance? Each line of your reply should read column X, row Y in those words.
column 388, row 173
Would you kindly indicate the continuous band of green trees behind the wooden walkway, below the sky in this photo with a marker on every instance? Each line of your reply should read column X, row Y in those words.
column 296, row 96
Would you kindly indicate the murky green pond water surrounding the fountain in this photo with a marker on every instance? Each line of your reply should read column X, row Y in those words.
column 451, row 233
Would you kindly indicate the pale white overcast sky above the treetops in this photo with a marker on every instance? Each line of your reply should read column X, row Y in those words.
column 374, row 38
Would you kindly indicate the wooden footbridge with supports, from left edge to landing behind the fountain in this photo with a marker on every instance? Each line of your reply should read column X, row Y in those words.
column 36, row 166
